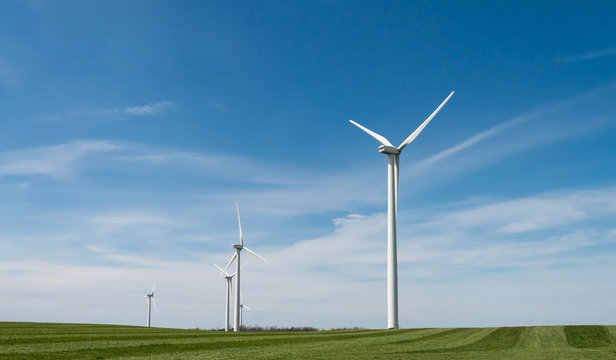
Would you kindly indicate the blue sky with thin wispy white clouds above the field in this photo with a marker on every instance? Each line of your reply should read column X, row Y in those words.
column 128, row 130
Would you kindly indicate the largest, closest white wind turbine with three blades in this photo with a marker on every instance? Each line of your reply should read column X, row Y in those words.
column 393, row 162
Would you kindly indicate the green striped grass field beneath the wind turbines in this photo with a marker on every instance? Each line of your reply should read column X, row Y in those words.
column 78, row 341
